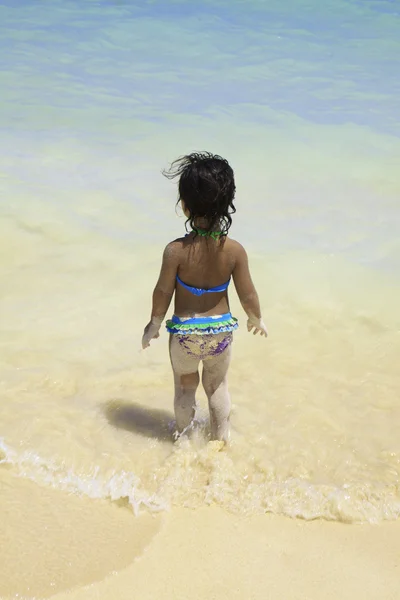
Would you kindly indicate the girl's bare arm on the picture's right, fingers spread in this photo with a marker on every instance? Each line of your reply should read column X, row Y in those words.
column 247, row 292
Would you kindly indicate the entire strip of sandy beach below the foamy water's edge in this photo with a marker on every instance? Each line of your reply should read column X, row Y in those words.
column 104, row 552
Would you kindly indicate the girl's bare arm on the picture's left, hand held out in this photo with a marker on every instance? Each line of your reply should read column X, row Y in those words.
column 163, row 292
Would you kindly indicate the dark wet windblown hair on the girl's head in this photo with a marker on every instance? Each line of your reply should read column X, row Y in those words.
column 207, row 187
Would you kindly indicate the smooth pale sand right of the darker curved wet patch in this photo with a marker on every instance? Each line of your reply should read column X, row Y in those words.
column 210, row 554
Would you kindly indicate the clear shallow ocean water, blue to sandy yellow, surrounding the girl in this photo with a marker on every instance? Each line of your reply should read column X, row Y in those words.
column 97, row 97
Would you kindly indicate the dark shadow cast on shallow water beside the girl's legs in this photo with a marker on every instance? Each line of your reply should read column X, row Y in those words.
column 149, row 422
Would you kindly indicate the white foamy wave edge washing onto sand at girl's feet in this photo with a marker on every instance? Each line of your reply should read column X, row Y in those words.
column 196, row 475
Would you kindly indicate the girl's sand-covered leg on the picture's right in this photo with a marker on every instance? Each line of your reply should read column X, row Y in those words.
column 215, row 383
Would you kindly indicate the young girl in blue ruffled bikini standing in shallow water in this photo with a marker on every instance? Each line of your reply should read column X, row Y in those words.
column 198, row 268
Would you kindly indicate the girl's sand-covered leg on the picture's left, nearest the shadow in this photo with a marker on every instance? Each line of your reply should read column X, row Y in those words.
column 186, row 380
